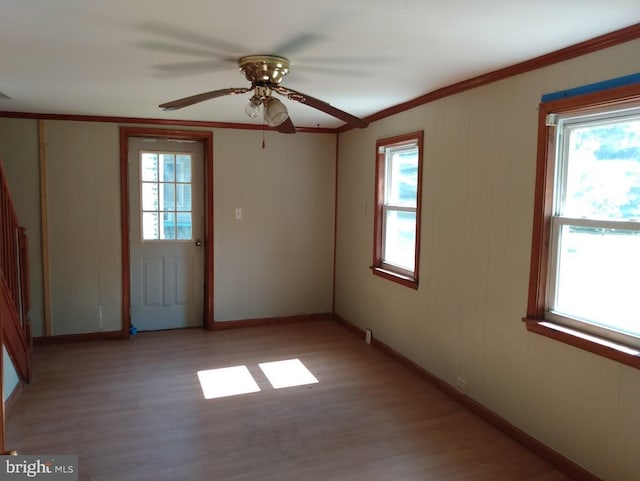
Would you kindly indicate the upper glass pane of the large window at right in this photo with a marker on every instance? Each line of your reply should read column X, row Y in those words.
column 603, row 179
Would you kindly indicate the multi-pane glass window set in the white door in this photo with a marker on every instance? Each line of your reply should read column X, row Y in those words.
column 165, row 188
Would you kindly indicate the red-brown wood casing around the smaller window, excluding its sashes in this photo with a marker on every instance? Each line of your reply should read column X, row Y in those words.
column 379, row 268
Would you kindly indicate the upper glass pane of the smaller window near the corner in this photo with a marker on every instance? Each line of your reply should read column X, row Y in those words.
column 402, row 177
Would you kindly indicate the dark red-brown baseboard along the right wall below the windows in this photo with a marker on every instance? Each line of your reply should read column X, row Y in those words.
column 557, row 460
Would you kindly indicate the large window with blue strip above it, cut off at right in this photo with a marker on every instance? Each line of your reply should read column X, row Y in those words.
column 585, row 277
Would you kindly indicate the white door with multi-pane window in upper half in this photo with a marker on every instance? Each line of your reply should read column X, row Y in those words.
column 166, row 227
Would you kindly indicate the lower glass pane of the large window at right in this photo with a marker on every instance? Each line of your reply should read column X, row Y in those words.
column 599, row 277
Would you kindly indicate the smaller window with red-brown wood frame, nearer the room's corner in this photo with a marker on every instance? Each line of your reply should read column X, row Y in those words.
column 397, row 208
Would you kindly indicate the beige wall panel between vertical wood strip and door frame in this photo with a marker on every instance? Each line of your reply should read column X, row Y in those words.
column 83, row 186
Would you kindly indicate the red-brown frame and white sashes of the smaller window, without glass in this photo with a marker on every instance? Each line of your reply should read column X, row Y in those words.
column 379, row 267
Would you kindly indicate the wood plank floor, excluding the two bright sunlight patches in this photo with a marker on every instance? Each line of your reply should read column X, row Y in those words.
column 135, row 410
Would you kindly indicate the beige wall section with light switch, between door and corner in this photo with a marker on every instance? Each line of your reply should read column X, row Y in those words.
column 277, row 260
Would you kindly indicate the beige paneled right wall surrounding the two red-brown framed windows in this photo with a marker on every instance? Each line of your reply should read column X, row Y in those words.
column 465, row 318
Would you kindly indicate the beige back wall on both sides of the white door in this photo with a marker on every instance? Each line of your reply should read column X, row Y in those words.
column 276, row 261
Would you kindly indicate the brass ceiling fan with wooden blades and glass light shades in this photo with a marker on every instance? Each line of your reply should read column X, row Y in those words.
column 265, row 72
